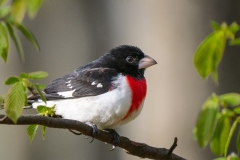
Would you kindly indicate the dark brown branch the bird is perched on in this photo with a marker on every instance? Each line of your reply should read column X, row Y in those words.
column 134, row 148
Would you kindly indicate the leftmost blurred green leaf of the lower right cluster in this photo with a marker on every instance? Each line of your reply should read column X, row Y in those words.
column 206, row 121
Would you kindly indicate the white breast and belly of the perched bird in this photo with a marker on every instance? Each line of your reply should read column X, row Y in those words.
column 105, row 110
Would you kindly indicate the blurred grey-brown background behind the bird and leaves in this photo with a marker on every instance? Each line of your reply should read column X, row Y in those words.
column 72, row 33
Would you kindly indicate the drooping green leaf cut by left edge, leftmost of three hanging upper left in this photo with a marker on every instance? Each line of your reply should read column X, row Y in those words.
column 4, row 44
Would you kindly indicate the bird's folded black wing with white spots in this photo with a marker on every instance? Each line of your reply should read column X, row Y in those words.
column 87, row 82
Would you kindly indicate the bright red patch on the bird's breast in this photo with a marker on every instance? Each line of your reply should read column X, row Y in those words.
column 139, row 89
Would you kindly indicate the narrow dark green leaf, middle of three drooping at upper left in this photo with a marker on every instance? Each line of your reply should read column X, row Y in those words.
column 15, row 40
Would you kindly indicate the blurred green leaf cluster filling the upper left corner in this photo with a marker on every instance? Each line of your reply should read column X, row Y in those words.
column 11, row 16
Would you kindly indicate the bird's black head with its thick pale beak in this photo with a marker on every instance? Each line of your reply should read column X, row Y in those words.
column 128, row 60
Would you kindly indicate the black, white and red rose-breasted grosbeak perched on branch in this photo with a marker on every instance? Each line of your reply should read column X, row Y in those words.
column 107, row 92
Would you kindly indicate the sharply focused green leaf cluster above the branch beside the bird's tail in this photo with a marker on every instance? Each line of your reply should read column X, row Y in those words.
column 16, row 98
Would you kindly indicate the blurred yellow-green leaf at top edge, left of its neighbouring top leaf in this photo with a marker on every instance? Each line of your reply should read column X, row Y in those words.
column 18, row 10
